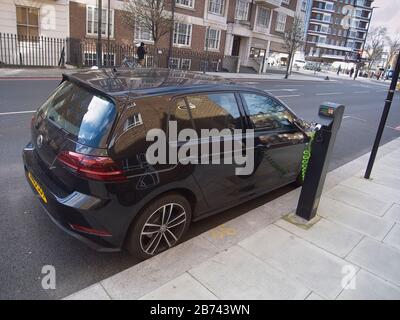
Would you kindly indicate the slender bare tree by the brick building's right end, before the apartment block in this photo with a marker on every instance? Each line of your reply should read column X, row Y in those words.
column 294, row 40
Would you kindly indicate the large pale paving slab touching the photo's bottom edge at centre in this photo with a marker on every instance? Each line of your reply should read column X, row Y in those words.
column 236, row 274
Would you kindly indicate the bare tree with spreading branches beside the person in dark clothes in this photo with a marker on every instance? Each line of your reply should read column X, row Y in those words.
column 150, row 15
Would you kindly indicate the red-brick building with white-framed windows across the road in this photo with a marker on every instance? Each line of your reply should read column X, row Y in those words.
column 252, row 30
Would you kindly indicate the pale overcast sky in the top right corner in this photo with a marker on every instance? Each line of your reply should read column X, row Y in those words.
column 387, row 15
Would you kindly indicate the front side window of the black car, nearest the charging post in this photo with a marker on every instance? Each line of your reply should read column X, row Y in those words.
column 266, row 113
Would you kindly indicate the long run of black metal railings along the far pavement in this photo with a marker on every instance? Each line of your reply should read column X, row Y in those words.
column 16, row 50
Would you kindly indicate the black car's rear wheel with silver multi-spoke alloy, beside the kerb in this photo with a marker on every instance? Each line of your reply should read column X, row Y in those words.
column 161, row 225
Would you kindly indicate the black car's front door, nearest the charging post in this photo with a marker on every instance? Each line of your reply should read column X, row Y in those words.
column 278, row 142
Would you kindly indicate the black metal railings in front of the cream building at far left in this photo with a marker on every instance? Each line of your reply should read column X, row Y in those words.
column 17, row 50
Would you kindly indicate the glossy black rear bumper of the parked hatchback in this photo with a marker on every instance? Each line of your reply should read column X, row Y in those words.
column 73, row 209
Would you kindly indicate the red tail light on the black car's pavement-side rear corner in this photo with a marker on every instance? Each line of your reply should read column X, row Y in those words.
column 96, row 168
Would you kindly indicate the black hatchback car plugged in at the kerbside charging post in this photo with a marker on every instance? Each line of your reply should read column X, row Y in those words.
column 86, row 161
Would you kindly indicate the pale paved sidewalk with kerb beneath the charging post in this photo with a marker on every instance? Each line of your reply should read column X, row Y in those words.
column 261, row 255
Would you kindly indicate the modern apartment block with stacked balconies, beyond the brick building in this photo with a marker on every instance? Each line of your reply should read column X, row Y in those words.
column 337, row 29
